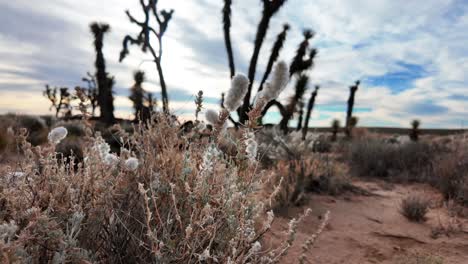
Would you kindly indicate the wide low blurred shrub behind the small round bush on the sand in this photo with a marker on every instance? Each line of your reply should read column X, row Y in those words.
column 376, row 158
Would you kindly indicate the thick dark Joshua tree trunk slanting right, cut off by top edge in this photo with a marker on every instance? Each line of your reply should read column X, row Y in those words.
column 270, row 8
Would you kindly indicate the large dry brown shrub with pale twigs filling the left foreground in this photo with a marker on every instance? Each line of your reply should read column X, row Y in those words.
column 155, row 202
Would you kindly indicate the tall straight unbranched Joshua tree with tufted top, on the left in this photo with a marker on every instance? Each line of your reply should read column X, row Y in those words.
column 104, row 82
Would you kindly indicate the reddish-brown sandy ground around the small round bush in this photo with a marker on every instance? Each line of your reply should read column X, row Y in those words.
column 370, row 229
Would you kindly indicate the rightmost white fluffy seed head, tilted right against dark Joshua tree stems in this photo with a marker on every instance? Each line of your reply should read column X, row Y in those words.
column 278, row 82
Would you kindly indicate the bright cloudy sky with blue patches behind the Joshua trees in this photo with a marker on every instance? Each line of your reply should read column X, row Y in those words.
column 412, row 56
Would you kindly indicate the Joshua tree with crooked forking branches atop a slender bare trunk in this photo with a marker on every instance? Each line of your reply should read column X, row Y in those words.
column 162, row 18
